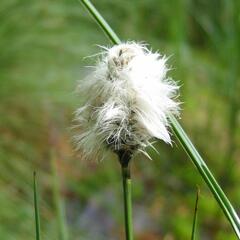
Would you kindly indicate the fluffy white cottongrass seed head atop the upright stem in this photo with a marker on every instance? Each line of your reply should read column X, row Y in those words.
column 127, row 100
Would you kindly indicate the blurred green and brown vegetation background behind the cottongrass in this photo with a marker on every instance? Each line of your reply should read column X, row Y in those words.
column 42, row 48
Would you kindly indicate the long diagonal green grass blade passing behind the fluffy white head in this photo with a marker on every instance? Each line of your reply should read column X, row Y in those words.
column 186, row 143
